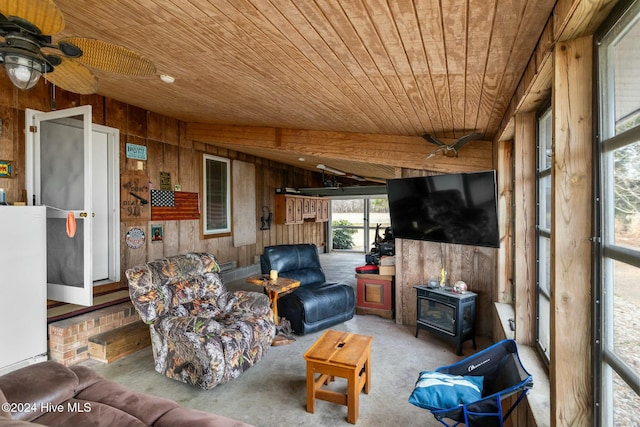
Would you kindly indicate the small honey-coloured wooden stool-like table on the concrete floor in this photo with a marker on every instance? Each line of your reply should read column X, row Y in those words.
column 339, row 354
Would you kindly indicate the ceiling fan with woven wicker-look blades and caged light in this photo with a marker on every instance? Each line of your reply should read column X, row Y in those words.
column 27, row 51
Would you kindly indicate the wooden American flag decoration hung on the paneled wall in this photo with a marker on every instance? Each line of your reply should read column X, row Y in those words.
column 174, row 205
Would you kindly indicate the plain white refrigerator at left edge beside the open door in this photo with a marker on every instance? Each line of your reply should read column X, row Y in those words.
column 23, row 286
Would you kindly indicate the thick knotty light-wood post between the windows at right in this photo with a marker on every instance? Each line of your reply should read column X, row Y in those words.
column 571, row 223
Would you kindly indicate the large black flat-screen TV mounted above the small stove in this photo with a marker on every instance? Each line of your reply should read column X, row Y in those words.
column 451, row 208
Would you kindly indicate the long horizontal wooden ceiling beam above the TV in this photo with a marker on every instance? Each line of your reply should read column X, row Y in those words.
column 391, row 151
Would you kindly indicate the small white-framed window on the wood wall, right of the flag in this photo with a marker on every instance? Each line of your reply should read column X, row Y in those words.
column 216, row 190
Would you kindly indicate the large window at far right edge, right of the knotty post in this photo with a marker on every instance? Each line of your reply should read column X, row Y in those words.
column 619, row 222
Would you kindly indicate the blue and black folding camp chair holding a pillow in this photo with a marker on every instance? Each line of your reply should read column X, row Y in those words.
column 504, row 376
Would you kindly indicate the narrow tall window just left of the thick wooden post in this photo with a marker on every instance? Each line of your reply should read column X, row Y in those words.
column 543, row 232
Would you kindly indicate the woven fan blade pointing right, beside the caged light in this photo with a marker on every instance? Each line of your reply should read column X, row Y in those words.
column 110, row 57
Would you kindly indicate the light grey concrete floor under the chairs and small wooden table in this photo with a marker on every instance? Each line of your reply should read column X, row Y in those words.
column 273, row 392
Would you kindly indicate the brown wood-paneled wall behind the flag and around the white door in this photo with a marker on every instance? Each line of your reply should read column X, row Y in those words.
column 167, row 151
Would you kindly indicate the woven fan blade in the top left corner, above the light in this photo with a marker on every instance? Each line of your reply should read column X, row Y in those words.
column 44, row 14
